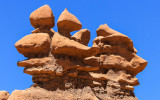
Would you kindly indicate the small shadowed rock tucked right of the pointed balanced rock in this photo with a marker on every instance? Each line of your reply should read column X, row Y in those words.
column 82, row 36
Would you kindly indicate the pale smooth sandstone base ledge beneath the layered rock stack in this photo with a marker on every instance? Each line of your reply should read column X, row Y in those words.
column 37, row 93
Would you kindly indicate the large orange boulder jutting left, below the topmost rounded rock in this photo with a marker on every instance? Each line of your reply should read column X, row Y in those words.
column 34, row 44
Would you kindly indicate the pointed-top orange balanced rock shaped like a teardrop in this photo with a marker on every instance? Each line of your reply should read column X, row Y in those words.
column 67, row 23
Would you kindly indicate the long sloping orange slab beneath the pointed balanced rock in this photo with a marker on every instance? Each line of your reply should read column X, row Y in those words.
column 63, row 45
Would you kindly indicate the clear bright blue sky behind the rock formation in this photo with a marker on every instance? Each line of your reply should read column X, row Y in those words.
column 138, row 19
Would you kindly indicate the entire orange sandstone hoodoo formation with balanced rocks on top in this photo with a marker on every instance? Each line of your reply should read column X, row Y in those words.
column 63, row 67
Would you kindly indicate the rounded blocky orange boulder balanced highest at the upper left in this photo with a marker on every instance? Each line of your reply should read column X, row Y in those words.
column 42, row 17
